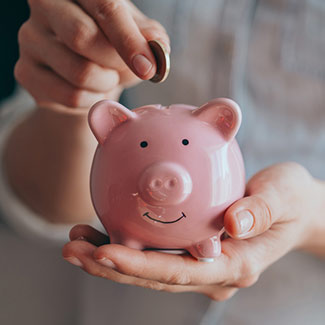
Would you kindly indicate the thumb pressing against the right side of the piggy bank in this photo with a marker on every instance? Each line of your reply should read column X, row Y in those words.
column 270, row 194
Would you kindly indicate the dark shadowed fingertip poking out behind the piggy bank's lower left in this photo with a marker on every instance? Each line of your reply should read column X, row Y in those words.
column 88, row 233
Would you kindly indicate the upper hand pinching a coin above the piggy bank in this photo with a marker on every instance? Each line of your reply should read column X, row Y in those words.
column 78, row 52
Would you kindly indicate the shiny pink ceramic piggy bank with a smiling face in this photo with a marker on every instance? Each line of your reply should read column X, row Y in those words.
column 162, row 177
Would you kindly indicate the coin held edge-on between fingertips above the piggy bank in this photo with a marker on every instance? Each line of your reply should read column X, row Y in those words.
column 162, row 61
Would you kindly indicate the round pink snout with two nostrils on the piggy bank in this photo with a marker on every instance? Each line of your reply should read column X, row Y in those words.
column 165, row 184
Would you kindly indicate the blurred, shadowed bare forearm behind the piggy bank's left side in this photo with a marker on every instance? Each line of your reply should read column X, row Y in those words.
column 48, row 158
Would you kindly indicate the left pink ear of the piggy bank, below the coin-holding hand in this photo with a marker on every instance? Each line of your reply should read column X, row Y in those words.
column 106, row 115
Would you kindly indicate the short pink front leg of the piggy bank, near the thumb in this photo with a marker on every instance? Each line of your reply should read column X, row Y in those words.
column 206, row 250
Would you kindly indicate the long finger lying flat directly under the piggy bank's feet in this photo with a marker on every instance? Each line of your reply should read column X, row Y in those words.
column 164, row 268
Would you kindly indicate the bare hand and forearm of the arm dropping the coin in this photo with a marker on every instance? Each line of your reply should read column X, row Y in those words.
column 72, row 54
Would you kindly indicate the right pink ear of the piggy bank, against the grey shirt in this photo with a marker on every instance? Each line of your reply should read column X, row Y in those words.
column 223, row 114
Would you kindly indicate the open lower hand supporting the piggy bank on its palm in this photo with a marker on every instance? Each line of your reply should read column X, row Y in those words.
column 277, row 214
